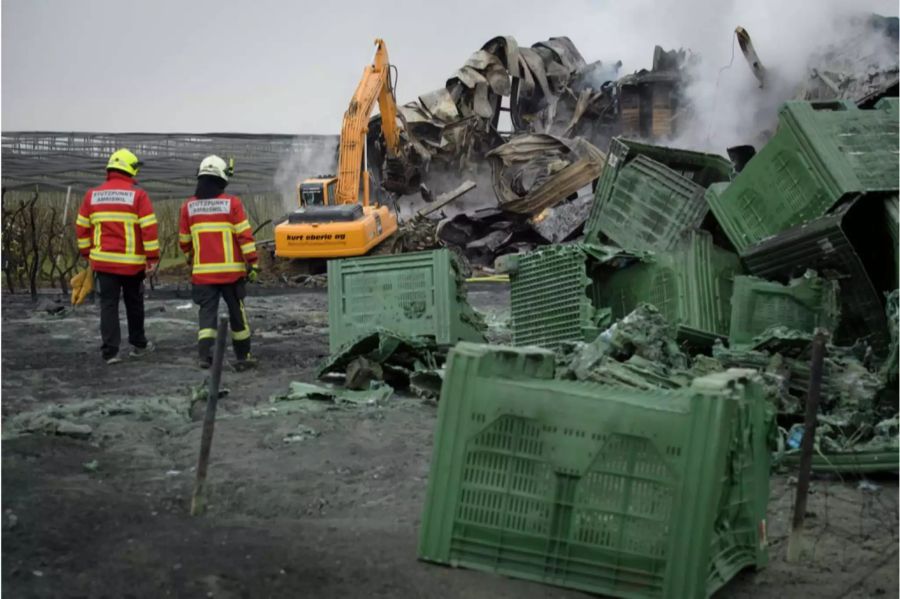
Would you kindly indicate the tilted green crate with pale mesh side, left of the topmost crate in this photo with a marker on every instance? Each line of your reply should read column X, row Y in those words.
column 649, row 195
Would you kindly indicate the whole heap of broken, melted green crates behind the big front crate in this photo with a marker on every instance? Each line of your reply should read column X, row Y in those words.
column 741, row 271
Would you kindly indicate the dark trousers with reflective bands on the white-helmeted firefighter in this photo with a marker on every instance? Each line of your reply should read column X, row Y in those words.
column 207, row 297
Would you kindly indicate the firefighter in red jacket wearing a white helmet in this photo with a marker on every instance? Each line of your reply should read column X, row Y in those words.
column 216, row 235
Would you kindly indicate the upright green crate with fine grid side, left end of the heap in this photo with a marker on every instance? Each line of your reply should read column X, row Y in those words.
column 550, row 299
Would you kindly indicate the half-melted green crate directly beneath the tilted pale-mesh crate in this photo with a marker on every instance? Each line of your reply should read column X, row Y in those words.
column 691, row 286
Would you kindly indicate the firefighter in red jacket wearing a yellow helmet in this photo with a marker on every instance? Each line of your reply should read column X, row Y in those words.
column 116, row 231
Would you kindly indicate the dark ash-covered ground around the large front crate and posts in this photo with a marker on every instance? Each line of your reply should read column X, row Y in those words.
column 306, row 498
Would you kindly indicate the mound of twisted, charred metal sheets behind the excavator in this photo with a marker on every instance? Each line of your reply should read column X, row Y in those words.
column 560, row 109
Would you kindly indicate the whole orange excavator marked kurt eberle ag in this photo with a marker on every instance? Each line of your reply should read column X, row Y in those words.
column 340, row 216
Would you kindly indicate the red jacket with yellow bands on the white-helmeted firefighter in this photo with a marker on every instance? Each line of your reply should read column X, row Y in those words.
column 217, row 233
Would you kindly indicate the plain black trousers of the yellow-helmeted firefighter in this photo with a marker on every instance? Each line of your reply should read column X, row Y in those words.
column 131, row 288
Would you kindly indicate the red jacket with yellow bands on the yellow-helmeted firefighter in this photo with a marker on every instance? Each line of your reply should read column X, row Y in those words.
column 116, row 227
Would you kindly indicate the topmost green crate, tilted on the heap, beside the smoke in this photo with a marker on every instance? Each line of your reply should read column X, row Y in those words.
column 823, row 152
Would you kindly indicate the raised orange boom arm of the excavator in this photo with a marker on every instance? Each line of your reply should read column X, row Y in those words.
column 374, row 84
